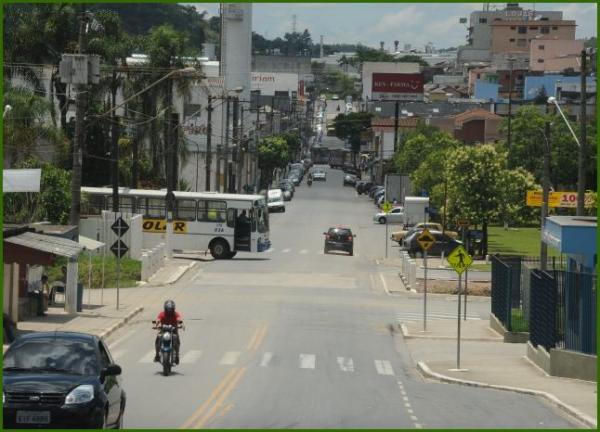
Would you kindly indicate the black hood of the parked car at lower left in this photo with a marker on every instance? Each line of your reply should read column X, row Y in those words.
column 44, row 382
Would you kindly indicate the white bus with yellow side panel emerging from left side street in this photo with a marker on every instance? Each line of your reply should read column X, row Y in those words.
column 221, row 223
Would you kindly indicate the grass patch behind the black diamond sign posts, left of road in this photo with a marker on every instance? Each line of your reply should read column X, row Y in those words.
column 130, row 271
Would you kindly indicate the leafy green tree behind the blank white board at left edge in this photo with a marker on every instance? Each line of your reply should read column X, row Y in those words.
column 51, row 204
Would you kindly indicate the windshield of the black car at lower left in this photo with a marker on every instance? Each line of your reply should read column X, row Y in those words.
column 52, row 355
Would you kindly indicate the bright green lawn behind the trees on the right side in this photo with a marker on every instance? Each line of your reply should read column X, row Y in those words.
column 516, row 241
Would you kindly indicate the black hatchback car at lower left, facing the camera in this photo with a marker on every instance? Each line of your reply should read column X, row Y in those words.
column 61, row 380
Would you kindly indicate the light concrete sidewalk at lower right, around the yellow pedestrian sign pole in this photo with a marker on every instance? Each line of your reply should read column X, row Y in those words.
column 488, row 362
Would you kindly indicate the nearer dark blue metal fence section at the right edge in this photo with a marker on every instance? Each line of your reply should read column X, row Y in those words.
column 563, row 310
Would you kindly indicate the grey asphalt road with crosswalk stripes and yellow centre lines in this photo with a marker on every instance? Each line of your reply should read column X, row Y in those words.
column 293, row 338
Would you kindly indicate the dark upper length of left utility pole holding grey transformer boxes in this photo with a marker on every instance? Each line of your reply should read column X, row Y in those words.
column 78, row 138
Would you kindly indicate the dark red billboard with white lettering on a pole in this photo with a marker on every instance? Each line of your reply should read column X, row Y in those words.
column 398, row 86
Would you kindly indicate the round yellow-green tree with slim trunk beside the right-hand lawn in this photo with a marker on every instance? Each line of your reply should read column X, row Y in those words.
column 475, row 187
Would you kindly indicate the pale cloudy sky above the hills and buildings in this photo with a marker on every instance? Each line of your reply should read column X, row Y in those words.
column 412, row 23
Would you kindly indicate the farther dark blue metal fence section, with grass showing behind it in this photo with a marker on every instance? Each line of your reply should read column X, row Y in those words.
column 511, row 288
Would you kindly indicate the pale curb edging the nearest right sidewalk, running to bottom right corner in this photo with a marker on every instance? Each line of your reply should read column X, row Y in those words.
column 583, row 418
